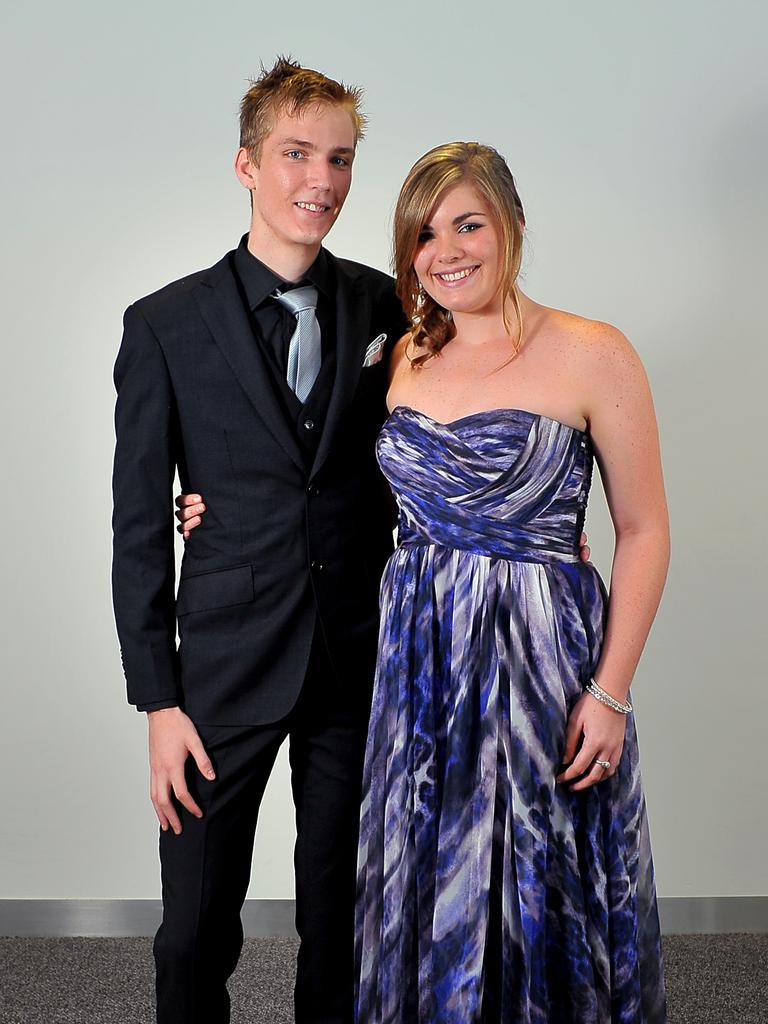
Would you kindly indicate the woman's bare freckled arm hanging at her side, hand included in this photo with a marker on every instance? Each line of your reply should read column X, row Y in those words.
column 623, row 426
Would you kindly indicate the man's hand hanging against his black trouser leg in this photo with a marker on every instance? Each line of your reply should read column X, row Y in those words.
column 173, row 740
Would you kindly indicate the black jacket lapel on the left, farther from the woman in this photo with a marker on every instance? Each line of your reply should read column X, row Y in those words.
column 222, row 308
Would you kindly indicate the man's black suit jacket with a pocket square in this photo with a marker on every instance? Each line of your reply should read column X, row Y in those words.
column 283, row 544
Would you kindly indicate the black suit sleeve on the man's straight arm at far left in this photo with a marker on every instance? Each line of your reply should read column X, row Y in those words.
column 146, row 457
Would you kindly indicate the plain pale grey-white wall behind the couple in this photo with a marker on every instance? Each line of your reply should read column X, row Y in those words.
column 637, row 136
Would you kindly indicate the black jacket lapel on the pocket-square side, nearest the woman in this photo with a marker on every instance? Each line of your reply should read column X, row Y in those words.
column 353, row 317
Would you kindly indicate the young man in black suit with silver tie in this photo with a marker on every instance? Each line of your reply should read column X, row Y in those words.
column 262, row 380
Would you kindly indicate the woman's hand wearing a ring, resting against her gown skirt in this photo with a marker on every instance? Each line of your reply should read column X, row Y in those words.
column 600, row 730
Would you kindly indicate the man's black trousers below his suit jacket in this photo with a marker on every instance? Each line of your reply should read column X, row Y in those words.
column 206, row 870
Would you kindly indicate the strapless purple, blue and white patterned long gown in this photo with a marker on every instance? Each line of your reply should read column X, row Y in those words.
column 486, row 891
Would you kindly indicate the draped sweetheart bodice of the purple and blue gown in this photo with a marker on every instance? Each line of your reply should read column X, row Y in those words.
column 503, row 483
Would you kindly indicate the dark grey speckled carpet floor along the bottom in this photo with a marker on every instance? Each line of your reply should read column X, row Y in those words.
column 711, row 979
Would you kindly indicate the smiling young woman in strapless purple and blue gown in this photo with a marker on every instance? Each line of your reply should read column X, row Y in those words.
column 505, row 869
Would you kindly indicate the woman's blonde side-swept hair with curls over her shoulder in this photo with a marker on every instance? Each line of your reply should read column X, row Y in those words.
column 428, row 182
